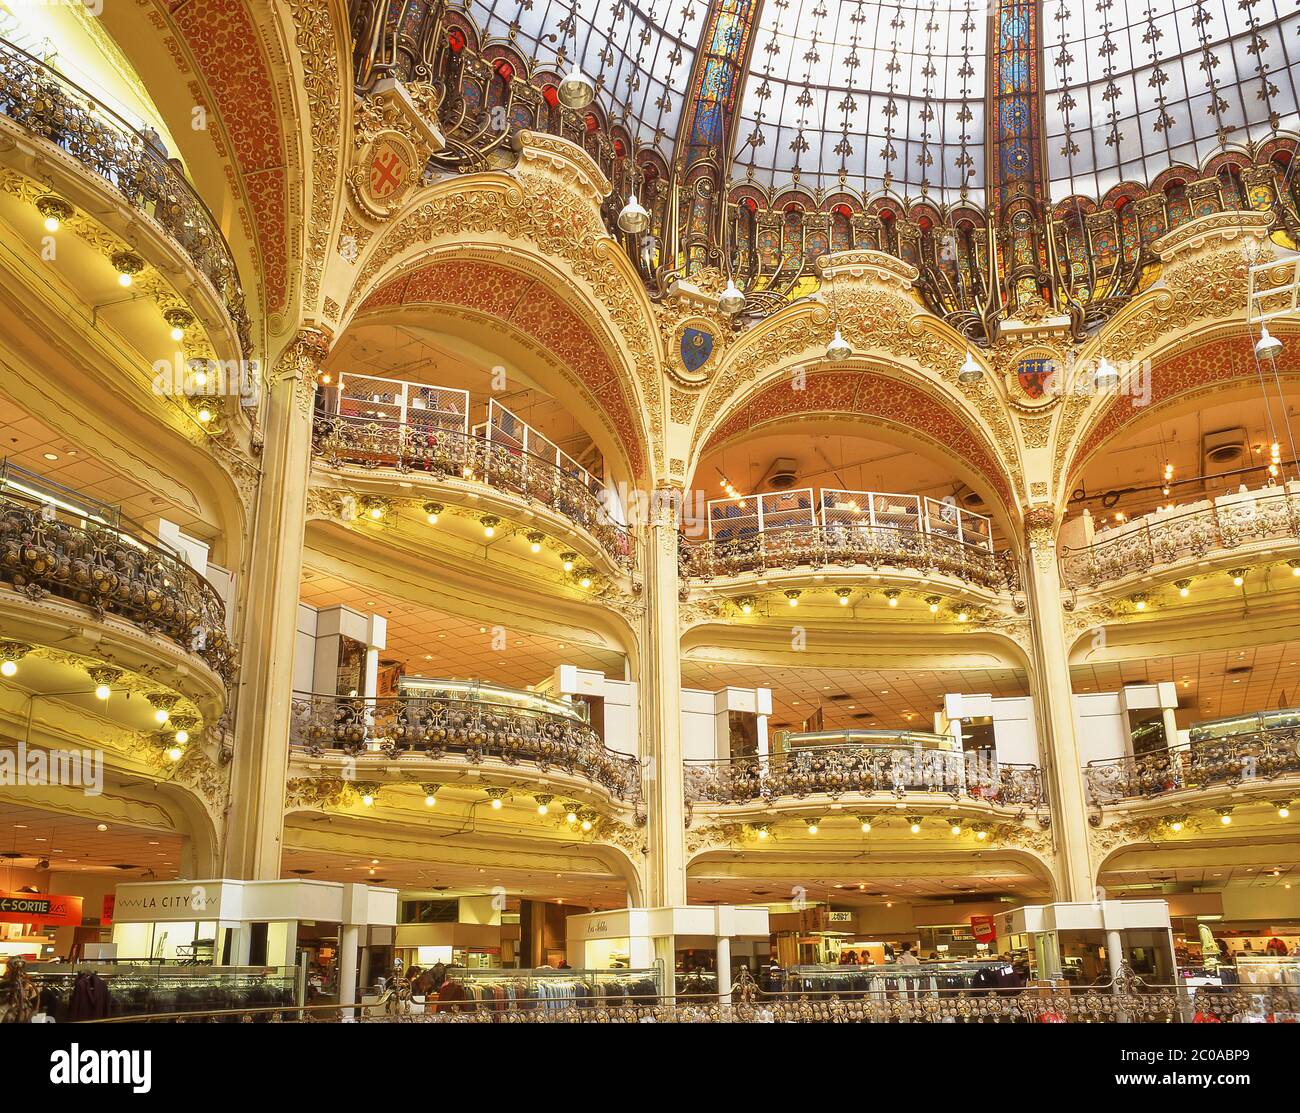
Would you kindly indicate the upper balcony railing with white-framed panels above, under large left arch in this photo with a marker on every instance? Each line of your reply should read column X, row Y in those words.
column 391, row 431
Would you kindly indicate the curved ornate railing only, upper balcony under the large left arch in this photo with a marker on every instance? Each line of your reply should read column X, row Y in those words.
column 452, row 454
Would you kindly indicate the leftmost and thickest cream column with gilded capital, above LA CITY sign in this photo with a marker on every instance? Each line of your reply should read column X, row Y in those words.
column 271, row 614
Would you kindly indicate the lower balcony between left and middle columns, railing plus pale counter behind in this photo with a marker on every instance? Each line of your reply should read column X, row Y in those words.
column 444, row 729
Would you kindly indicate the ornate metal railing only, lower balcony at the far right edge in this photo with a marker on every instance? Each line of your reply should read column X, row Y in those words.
column 1253, row 759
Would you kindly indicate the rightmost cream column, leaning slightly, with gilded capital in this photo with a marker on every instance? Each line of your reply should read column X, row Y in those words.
column 1054, row 703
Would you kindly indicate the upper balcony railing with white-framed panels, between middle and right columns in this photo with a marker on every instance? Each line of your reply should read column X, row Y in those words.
column 787, row 531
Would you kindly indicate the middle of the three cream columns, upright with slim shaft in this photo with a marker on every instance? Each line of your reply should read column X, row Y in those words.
column 661, row 708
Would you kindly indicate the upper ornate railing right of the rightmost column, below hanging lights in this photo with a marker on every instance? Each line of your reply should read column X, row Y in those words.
column 1165, row 539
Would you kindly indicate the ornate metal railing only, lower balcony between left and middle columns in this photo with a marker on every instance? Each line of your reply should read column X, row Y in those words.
column 462, row 731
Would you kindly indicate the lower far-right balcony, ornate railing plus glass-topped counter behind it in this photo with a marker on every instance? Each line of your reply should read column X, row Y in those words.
column 1251, row 752
